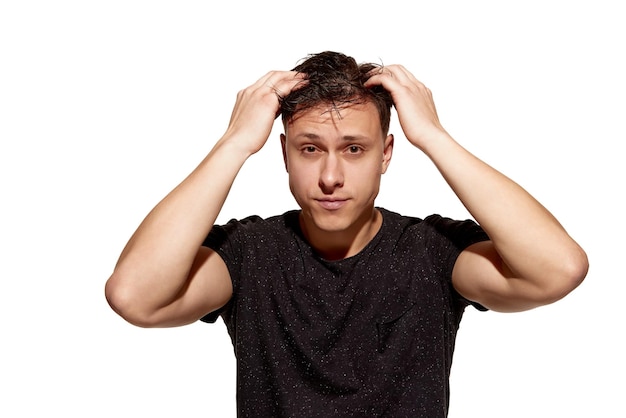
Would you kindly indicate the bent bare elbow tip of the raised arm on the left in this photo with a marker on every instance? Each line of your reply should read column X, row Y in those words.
column 126, row 302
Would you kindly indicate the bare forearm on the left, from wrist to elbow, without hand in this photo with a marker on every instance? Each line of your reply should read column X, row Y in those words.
column 157, row 259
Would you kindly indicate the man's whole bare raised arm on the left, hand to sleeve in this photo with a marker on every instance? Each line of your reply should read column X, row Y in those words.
column 164, row 277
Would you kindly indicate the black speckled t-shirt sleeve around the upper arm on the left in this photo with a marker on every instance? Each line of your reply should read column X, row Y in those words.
column 228, row 242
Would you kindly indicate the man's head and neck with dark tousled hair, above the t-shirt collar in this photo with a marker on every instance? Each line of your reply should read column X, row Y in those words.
column 336, row 146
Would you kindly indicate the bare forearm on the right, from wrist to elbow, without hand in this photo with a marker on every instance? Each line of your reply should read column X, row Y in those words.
column 530, row 241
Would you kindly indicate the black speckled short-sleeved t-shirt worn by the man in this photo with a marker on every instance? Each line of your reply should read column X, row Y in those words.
column 367, row 336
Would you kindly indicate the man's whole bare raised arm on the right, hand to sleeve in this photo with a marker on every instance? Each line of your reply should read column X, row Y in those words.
column 530, row 260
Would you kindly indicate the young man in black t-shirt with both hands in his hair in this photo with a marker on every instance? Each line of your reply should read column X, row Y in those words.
column 341, row 308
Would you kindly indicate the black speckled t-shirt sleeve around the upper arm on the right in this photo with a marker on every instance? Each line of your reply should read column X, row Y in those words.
column 461, row 234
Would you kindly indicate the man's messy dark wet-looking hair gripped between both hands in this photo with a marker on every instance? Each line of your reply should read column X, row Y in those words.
column 335, row 80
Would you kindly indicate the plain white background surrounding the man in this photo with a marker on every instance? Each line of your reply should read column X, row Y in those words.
column 106, row 106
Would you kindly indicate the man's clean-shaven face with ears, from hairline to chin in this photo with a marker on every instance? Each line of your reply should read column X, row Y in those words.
column 335, row 160
